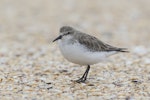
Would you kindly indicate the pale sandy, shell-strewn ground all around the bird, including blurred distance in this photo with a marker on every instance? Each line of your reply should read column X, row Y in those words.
column 32, row 67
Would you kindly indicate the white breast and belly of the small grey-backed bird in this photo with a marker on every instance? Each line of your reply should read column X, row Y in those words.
column 79, row 54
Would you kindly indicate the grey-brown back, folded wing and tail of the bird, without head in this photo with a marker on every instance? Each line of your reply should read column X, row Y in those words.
column 94, row 44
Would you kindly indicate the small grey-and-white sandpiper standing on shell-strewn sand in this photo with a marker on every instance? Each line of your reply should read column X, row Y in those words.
column 83, row 49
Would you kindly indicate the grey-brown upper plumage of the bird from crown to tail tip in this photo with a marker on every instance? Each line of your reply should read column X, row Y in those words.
column 90, row 42
